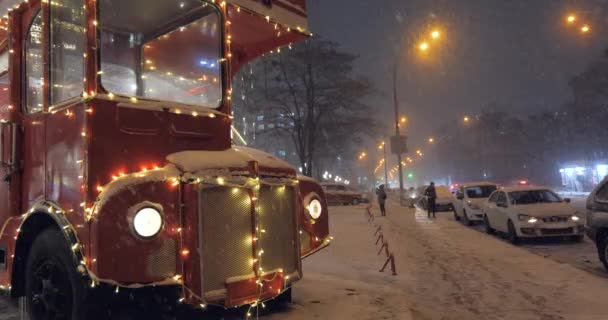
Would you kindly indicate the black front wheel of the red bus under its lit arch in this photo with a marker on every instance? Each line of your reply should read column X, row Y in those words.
column 54, row 289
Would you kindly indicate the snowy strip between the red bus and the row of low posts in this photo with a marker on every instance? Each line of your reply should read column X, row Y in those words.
column 342, row 282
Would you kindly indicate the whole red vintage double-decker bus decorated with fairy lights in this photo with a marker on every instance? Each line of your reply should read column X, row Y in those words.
column 117, row 164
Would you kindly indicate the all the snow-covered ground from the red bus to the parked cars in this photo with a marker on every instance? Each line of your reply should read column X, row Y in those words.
column 445, row 271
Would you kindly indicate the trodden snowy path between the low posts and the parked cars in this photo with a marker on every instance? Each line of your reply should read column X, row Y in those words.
column 453, row 272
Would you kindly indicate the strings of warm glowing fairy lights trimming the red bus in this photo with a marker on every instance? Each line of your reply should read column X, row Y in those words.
column 90, row 210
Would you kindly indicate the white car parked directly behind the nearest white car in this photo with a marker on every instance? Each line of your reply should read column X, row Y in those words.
column 471, row 197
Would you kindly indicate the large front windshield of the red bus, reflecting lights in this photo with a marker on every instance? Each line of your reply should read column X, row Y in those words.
column 170, row 53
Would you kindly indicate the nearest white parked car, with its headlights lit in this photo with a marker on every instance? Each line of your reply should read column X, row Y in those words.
column 531, row 212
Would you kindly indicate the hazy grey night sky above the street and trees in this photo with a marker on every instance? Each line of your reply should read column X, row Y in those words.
column 517, row 55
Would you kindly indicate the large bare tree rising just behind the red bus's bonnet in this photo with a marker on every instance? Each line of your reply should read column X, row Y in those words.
column 312, row 97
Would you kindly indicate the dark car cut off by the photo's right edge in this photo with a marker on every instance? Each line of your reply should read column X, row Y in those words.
column 597, row 220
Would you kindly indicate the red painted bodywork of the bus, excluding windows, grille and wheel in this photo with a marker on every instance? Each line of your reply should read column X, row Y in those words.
column 86, row 164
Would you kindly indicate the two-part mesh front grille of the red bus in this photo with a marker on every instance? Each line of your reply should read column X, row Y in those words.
column 227, row 225
